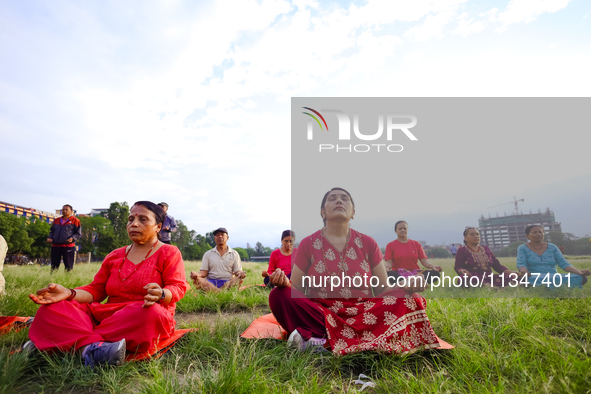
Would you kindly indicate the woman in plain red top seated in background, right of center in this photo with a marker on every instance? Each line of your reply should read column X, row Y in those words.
column 403, row 255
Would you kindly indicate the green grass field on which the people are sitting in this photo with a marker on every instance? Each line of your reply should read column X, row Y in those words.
column 503, row 345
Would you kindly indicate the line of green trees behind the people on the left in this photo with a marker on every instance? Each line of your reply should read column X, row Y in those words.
column 103, row 234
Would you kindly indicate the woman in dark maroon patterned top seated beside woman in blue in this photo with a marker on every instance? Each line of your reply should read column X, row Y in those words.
column 476, row 260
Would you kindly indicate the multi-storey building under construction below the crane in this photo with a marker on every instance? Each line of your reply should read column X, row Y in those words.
column 500, row 231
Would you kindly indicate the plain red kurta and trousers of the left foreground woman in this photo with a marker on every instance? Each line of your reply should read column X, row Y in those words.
column 65, row 325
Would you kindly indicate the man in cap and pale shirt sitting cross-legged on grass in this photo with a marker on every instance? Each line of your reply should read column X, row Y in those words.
column 221, row 267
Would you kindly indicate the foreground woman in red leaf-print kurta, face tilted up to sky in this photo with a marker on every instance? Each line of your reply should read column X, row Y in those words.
column 350, row 317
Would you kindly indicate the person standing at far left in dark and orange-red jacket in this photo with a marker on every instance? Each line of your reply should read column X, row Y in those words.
column 63, row 234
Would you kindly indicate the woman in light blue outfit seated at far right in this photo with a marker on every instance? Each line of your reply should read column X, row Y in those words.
column 539, row 257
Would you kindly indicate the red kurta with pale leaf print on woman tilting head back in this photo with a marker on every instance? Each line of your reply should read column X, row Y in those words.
column 394, row 322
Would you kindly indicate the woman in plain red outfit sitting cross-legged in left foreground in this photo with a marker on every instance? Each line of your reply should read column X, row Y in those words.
column 142, row 282
